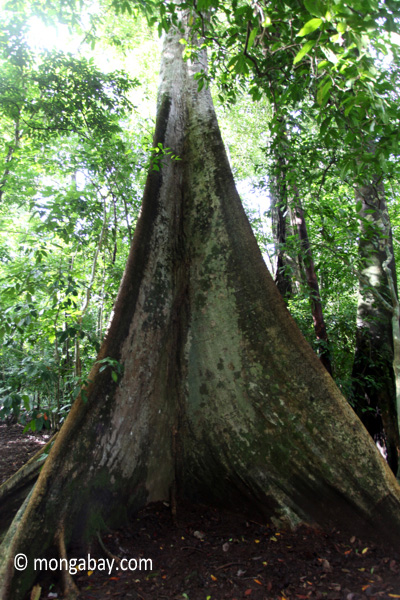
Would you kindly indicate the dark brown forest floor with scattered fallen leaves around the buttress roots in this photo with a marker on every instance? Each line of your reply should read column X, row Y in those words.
column 211, row 554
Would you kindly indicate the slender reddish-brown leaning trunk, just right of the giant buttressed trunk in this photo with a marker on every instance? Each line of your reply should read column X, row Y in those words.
column 313, row 286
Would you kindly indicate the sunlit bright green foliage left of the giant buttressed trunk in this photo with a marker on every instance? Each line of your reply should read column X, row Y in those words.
column 70, row 180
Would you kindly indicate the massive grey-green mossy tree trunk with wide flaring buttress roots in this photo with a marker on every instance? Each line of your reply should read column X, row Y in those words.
column 221, row 400
